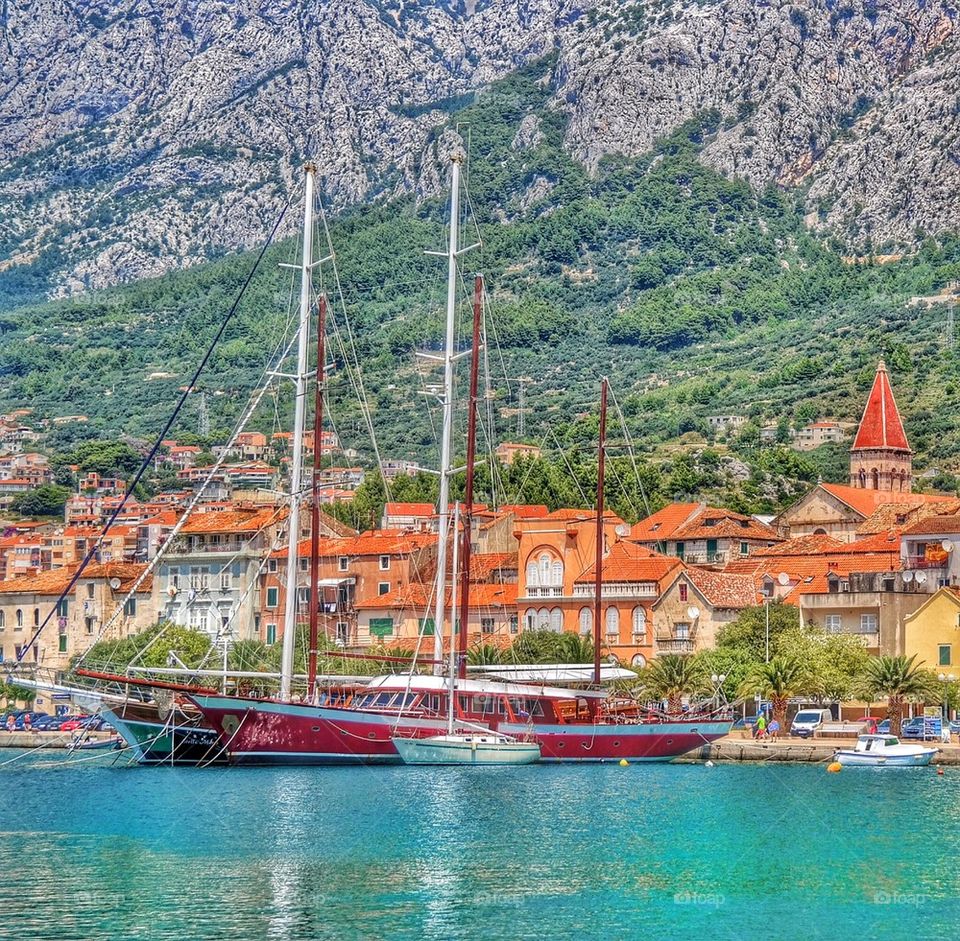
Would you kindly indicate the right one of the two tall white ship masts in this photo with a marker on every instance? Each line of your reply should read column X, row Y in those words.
column 445, row 441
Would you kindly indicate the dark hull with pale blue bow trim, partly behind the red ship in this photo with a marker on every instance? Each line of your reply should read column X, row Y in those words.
column 153, row 740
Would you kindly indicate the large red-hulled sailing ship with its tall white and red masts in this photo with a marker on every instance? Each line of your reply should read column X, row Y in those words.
column 356, row 725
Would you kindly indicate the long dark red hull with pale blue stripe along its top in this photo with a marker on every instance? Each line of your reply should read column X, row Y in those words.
column 261, row 732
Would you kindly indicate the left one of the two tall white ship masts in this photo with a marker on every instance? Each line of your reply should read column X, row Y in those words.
column 299, row 417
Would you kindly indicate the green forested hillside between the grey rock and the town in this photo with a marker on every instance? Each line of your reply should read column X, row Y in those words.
column 695, row 294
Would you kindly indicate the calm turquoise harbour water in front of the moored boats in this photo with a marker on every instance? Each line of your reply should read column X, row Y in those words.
column 653, row 851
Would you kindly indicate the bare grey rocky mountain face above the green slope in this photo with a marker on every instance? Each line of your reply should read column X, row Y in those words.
column 144, row 135
